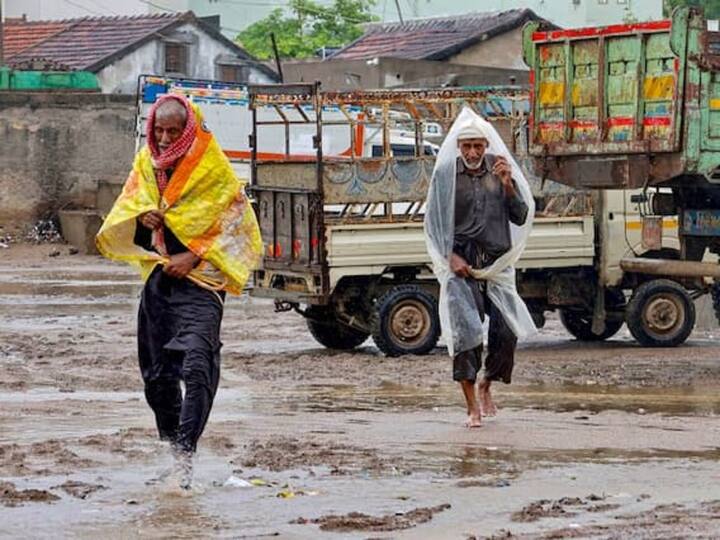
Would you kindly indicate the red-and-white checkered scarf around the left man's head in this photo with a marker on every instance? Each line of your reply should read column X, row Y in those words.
column 167, row 159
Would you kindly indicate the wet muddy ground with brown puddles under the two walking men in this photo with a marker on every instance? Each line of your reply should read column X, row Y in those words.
column 601, row 441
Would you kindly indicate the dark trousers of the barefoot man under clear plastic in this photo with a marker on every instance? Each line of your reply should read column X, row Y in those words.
column 502, row 341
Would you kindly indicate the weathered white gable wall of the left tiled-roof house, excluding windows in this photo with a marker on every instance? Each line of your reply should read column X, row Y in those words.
column 204, row 51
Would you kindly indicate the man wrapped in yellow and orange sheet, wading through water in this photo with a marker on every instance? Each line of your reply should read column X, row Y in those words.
column 183, row 219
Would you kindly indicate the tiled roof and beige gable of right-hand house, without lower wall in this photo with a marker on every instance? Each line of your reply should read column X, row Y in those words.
column 492, row 39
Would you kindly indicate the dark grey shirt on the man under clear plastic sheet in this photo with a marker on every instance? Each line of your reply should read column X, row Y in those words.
column 483, row 214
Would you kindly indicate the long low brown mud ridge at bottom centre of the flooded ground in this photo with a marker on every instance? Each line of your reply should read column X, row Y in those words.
column 356, row 521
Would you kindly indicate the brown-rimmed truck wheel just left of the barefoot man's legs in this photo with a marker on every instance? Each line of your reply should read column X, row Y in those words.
column 406, row 321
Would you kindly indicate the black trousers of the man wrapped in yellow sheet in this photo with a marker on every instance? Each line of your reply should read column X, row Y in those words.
column 179, row 340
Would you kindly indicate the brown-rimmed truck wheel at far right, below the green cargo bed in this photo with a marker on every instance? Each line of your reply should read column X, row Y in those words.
column 660, row 314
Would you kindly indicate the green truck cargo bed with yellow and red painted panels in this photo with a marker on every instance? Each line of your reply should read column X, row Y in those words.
column 625, row 105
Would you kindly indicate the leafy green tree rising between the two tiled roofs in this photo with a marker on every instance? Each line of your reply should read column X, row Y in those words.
column 308, row 27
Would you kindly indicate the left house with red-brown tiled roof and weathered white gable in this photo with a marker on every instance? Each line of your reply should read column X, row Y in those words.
column 119, row 49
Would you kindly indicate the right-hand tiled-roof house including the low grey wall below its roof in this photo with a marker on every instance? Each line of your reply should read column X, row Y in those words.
column 472, row 49
